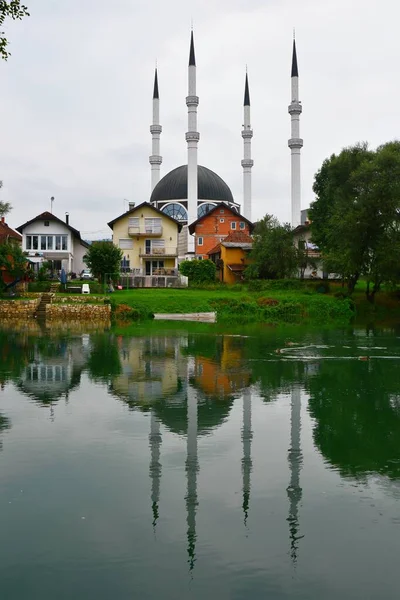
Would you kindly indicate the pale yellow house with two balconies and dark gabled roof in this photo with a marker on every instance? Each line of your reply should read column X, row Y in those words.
column 149, row 240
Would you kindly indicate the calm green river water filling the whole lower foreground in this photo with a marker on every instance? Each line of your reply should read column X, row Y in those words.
column 185, row 463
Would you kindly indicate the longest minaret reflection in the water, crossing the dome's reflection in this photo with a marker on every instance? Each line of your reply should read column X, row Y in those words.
column 192, row 467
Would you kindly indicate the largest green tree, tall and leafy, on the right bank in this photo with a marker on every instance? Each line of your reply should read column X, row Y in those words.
column 355, row 219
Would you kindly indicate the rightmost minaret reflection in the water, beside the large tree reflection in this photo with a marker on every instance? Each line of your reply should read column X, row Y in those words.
column 295, row 459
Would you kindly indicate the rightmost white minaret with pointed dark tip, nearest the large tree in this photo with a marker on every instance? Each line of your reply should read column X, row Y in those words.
column 295, row 143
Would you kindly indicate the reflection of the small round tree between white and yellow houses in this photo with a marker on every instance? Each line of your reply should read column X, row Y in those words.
column 104, row 361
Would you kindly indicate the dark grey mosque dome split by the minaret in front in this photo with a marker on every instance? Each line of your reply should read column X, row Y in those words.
column 173, row 186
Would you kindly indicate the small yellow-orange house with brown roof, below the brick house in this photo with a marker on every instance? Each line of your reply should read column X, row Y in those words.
column 231, row 256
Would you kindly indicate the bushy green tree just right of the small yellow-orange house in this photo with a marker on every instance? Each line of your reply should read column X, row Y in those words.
column 274, row 255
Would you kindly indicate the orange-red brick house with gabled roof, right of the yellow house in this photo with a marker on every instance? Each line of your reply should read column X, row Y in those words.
column 214, row 226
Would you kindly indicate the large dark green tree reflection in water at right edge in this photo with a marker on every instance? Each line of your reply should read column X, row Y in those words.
column 357, row 417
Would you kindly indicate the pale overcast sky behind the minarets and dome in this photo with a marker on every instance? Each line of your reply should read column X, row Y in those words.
column 76, row 95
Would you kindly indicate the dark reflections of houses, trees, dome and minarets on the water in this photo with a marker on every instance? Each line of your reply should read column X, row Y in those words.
column 187, row 385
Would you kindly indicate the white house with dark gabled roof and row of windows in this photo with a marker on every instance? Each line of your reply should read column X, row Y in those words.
column 48, row 238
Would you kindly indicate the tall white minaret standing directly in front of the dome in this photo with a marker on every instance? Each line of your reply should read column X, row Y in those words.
column 192, row 138
